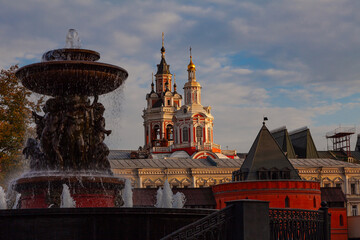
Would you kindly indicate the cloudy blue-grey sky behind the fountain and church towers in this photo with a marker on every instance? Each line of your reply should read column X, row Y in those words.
column 296, row 62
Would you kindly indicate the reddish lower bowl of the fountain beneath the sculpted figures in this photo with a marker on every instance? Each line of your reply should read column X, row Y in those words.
column 87, row 190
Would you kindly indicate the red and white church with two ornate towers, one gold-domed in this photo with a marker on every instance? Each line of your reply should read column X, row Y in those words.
column 171, row 127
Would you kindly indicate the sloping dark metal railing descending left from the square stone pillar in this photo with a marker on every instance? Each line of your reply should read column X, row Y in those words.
column 213, row 226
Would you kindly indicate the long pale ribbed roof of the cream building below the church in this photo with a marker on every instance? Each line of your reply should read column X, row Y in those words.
column 220, row 163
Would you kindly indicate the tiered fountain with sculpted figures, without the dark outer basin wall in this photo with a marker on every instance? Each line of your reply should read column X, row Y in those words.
column 69, row 147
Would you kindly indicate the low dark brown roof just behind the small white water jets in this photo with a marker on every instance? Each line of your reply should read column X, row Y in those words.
column 146, row 197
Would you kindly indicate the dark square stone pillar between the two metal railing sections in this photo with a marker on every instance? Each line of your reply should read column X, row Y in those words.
column 251, row 220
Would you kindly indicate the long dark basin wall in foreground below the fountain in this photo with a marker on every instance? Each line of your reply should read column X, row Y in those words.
column 94, row 223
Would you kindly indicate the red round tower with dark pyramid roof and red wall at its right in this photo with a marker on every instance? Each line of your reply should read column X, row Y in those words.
column 268, row 175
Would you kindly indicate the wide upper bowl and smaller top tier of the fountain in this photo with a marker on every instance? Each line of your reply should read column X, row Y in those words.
column 71, row 71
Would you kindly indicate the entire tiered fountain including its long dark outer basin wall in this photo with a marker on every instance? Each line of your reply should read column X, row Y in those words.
column 68, row 153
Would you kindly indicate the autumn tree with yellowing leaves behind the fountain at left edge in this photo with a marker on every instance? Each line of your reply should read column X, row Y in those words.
column 15, row 118
